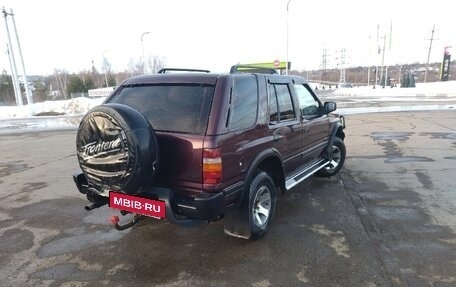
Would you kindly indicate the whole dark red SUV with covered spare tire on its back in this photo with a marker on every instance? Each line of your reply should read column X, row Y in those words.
column 193, row 147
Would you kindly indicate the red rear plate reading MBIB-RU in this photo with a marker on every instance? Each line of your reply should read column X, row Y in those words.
column 135, row 204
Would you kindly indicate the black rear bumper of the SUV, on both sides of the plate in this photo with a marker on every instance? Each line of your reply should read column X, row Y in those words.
column 180, row 209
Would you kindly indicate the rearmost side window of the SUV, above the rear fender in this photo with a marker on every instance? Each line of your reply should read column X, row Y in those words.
column 244, row 103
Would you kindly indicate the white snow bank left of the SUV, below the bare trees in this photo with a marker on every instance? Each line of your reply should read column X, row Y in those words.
column 73, row 107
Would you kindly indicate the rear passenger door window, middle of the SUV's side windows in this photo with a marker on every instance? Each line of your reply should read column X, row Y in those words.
column 280, row 103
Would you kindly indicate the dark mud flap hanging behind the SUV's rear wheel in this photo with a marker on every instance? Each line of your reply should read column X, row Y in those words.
column 237, row 223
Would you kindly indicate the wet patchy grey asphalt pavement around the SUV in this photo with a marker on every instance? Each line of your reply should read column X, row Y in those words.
column 388, row 219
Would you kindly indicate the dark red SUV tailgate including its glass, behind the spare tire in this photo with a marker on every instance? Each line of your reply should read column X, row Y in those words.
column 178, row 112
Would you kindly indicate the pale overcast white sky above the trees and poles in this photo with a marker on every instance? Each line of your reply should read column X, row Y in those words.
column 69, row 35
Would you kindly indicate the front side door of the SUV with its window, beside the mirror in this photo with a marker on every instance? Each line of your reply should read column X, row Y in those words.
column 315, row 123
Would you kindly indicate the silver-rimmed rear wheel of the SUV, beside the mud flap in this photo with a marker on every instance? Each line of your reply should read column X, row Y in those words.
column 262, row 200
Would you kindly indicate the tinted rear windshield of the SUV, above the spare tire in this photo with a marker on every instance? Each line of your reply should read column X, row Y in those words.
column 174, row 108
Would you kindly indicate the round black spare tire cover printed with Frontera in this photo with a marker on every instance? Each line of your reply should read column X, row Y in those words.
column 117, row 148
